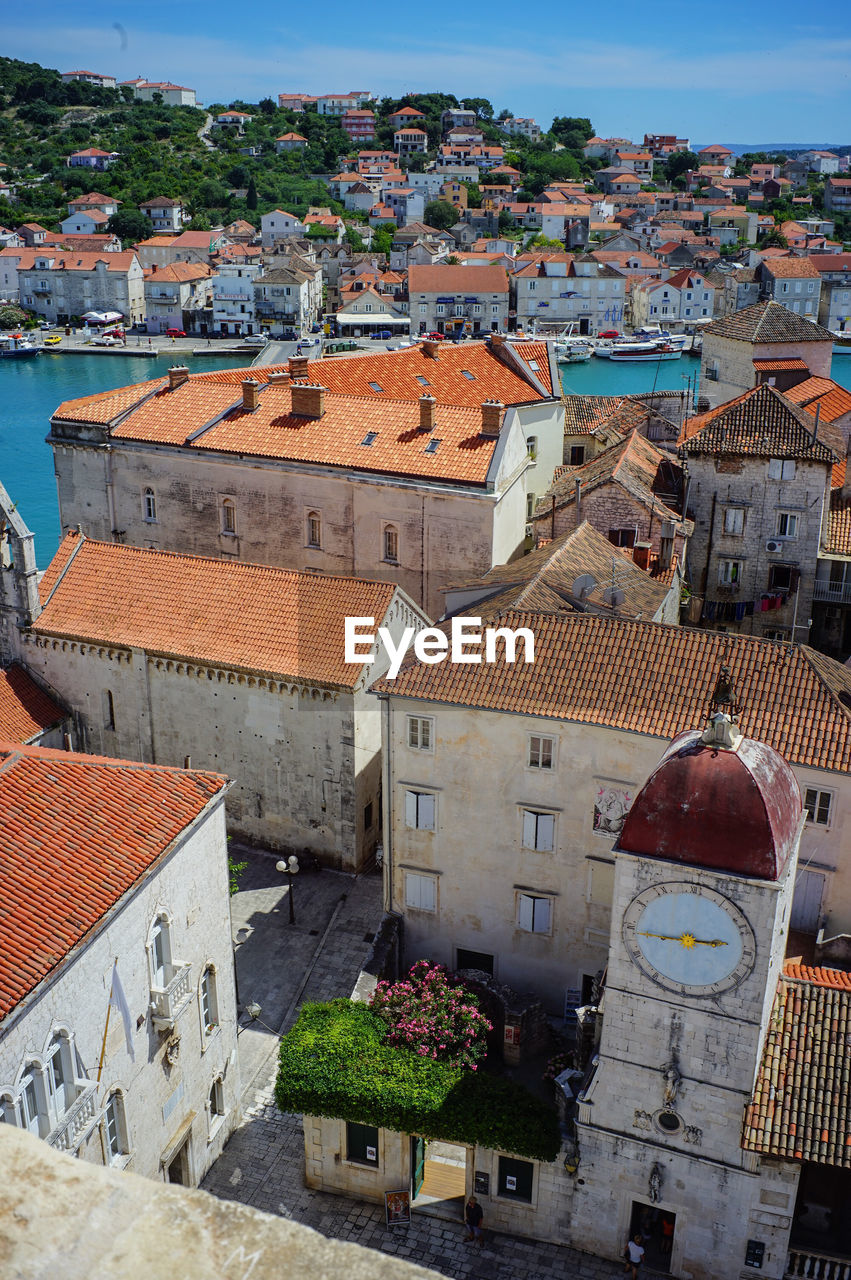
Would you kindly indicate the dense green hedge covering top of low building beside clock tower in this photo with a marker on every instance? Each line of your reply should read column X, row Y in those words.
column 337, row 1062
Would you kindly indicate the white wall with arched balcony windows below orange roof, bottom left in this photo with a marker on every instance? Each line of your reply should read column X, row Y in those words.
column 163, row 1104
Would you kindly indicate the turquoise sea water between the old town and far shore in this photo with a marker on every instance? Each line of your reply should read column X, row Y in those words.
column 30, row 391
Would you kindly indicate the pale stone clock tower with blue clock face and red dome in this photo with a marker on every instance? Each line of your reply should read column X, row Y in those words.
column 703, row 888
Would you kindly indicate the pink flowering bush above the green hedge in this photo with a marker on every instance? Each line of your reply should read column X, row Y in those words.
column 434, row 1018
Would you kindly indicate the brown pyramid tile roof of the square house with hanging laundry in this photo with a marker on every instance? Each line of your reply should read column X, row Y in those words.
column 762, row 423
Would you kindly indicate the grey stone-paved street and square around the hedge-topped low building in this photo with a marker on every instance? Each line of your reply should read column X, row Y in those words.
column 280, row 966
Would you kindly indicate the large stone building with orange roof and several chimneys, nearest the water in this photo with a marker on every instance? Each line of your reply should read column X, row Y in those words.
column 417, row 464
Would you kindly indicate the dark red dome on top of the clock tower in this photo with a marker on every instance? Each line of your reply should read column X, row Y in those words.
column 733, row 811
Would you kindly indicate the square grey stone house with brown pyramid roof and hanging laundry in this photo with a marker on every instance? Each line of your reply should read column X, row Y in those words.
column 760, row 487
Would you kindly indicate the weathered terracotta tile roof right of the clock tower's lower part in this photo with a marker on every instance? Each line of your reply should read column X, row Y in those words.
column 799, row 1110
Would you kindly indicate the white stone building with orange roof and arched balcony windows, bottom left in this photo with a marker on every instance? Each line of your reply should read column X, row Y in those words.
column 104, row 860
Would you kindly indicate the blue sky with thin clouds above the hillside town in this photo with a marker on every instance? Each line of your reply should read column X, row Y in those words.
column 716, row 74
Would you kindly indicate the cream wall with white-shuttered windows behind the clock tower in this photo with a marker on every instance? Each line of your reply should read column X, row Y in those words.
column 478, row 770
